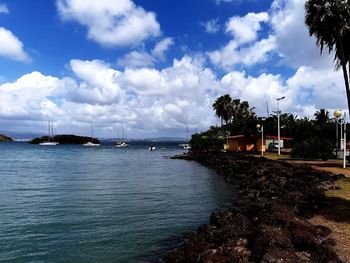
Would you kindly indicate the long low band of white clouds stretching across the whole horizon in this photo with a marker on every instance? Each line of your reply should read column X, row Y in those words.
column 149, row 101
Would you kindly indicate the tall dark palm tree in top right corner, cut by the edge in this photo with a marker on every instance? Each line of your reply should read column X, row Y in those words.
column 329, row 22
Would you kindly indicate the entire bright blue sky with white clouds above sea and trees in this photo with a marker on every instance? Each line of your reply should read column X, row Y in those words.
column 153, row 67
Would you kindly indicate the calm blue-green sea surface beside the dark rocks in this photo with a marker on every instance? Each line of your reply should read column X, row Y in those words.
column 68, row 203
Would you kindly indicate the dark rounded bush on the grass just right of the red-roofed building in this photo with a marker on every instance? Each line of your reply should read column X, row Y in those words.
column 313, row 148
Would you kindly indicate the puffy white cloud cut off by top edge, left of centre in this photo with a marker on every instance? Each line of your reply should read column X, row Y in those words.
column 111, row 22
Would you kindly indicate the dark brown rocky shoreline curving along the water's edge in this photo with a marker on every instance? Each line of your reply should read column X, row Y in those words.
column 269, row 222
